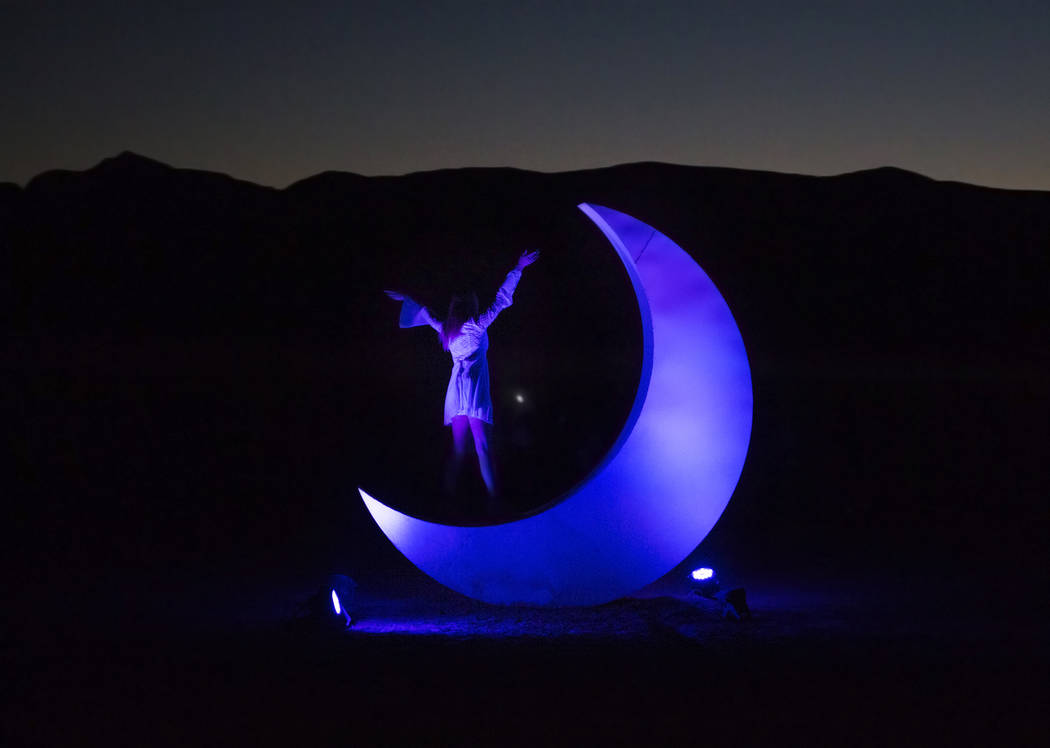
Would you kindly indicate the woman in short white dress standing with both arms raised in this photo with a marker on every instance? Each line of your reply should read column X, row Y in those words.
column 469, row 406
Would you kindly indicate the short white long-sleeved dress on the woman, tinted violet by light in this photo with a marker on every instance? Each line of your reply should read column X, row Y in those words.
column 468, row 394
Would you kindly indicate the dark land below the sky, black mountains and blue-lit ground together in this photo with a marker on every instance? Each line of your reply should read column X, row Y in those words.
column 200, row 372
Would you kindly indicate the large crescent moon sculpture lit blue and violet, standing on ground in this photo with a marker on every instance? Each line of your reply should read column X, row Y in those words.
column 662, row 487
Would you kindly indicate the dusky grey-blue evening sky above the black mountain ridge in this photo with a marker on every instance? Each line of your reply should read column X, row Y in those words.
column 275, row 93
